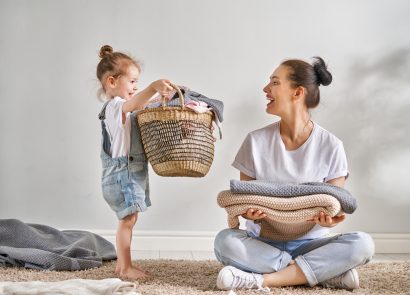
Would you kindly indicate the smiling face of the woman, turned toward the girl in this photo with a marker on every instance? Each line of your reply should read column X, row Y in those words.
column 279, row 92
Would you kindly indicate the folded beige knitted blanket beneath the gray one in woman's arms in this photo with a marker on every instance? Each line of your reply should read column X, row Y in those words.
column 286, row 218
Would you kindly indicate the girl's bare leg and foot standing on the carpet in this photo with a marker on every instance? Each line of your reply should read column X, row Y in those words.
column 124, row 267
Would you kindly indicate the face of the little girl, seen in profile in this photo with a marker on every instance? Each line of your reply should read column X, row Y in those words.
column 126, row 86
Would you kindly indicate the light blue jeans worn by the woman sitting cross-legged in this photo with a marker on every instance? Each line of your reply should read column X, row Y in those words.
column 319, row 259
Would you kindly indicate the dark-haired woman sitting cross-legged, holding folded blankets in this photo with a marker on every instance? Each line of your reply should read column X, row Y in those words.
column 293, row 150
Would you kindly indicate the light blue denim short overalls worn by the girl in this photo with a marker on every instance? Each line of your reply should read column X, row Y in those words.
column 125, row 184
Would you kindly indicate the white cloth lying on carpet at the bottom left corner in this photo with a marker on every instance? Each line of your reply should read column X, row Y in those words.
column 112, row 286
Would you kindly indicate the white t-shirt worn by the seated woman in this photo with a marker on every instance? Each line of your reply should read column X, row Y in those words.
column 263, row 156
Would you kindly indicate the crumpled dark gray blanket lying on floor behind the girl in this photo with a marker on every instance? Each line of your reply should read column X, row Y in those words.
column 42, row 247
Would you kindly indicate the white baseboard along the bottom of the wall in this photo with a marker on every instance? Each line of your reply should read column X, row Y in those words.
column 203, row 241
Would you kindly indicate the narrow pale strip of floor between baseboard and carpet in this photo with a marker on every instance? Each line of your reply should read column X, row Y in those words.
column 203, row 255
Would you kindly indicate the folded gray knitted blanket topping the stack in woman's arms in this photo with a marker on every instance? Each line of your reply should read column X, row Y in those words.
column 287, row 190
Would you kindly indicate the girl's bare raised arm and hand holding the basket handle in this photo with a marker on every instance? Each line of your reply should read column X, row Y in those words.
column 137, row 102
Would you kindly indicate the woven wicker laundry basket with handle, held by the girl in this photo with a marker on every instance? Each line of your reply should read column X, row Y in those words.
column 177, row 140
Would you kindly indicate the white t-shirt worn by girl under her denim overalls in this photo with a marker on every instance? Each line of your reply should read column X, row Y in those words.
column 120, row 134
